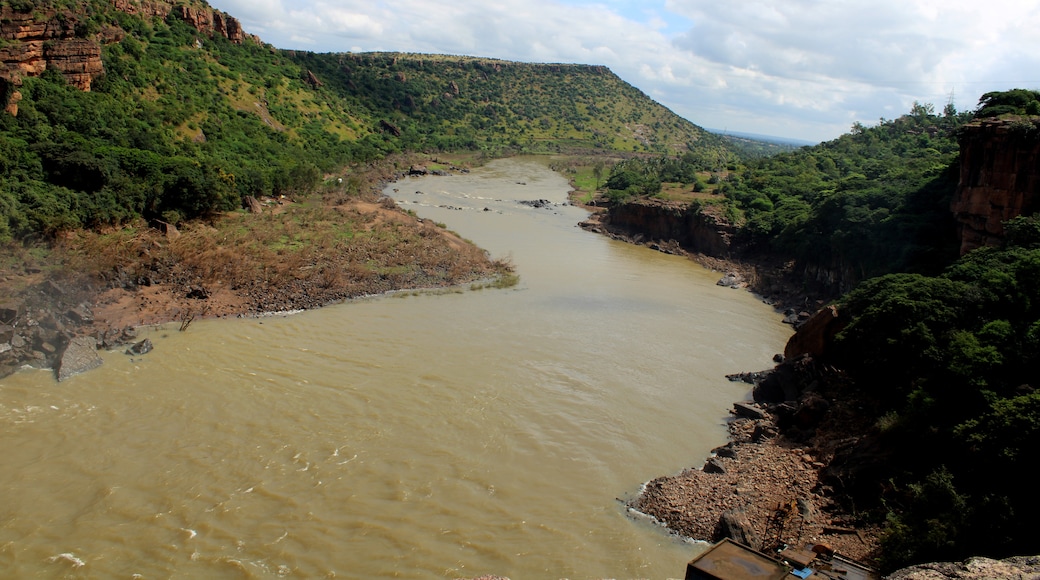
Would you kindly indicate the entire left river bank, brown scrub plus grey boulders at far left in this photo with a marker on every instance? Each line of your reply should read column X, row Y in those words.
column 279, row 255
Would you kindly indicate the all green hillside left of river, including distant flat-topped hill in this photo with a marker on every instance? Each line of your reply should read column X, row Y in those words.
column 183, row 125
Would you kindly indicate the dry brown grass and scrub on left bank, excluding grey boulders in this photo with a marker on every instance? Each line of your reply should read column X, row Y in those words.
column 348, row 244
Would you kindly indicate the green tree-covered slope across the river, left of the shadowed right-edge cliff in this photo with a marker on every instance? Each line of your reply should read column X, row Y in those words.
column 872, row 202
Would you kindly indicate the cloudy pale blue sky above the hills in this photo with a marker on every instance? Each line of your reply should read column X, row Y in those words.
column 799, row 69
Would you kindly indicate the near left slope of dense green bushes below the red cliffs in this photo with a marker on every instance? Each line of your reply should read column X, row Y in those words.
column 168, row 133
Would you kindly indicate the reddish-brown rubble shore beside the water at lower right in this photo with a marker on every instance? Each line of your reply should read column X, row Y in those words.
column 764, row 489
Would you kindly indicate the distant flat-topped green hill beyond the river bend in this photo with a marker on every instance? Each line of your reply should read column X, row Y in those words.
column 457, row 102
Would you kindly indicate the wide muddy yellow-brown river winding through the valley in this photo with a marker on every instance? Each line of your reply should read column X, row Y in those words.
column 440, row 435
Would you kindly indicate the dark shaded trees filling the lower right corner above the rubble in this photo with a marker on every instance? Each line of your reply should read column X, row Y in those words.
column 951, row 363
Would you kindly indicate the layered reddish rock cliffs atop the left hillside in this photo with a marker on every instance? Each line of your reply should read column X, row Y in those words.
column 45, row 39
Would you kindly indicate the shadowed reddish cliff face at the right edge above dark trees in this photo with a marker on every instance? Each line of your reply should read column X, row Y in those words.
column 1000, row 178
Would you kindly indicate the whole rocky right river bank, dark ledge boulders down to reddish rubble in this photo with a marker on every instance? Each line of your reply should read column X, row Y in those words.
column 777, row 483
